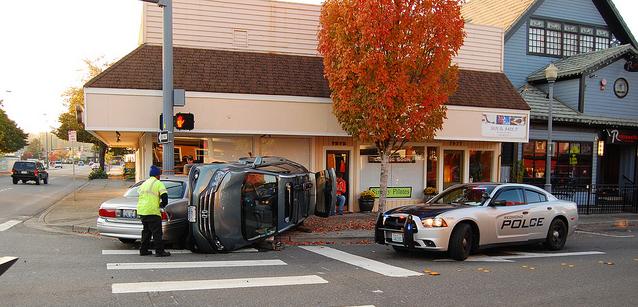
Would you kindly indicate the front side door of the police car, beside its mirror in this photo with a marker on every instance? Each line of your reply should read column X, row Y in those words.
column 511, row 216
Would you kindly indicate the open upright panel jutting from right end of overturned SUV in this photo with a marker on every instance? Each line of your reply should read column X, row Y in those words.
column 325, row 193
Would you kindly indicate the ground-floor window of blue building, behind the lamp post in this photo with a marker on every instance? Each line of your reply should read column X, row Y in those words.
column 572, row 163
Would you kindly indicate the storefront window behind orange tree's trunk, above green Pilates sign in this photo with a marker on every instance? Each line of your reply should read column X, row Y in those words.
column 405, row 169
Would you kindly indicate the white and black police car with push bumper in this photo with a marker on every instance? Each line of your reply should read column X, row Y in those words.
column 467, row 217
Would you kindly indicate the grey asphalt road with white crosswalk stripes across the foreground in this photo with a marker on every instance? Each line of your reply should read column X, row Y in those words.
column 597, row 267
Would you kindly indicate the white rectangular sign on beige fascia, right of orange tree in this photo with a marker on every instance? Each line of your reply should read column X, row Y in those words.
column 500, row 125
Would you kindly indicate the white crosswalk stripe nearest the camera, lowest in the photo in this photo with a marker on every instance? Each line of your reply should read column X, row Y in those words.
column 164, row 286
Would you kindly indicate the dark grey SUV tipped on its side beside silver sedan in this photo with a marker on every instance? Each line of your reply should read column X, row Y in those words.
column 234, row 205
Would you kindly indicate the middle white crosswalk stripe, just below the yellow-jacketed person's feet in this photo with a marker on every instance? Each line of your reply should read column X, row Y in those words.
column 191, row 264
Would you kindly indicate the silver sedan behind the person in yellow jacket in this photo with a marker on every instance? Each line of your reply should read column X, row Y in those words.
column 118, row 217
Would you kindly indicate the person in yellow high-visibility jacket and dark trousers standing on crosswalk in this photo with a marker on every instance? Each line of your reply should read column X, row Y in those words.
column 151, row 192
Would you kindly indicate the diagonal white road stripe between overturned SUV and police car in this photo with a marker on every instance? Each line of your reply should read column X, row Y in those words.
column 362, row 262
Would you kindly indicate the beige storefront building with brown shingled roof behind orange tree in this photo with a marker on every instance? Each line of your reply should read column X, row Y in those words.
column 255, row 84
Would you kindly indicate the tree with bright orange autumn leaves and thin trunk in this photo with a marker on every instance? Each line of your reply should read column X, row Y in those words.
column 389, row 66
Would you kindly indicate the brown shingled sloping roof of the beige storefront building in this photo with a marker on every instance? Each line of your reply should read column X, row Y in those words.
column 222, row 71
